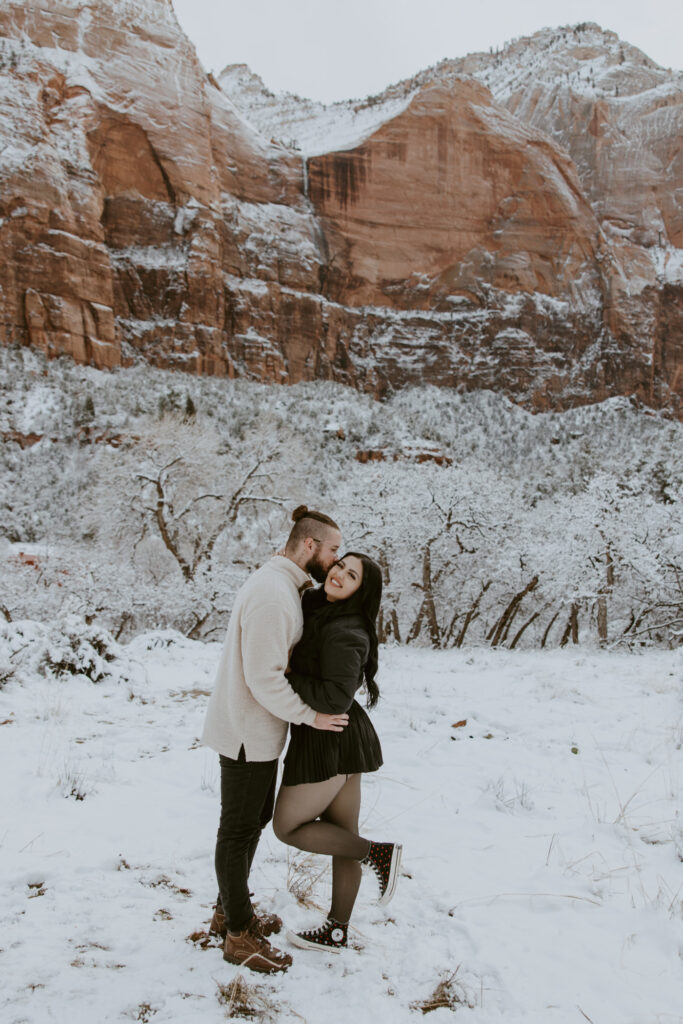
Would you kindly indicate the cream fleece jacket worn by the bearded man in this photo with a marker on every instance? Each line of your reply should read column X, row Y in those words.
column 252, row 702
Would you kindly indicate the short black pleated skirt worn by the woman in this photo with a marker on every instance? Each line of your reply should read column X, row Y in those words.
column 314, row 756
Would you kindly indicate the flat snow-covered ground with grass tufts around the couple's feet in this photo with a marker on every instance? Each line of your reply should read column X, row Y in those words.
column 543, row 841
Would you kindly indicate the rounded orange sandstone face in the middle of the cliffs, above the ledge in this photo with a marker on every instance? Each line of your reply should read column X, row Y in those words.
column 493, row 204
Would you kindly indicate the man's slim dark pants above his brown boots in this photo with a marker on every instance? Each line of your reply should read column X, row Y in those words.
column 247, row 798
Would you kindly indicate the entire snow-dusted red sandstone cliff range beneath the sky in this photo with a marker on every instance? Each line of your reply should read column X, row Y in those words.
column 510, row 221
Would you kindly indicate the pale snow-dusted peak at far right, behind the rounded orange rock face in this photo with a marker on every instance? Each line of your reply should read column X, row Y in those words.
column 620, row 117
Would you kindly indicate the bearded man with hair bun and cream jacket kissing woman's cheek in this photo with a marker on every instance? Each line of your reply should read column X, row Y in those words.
column 247, row 720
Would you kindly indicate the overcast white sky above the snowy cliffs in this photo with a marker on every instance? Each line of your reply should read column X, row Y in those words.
column 348, row 50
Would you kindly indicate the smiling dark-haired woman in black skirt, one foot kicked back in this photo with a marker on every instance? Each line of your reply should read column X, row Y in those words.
column 320, row 799
